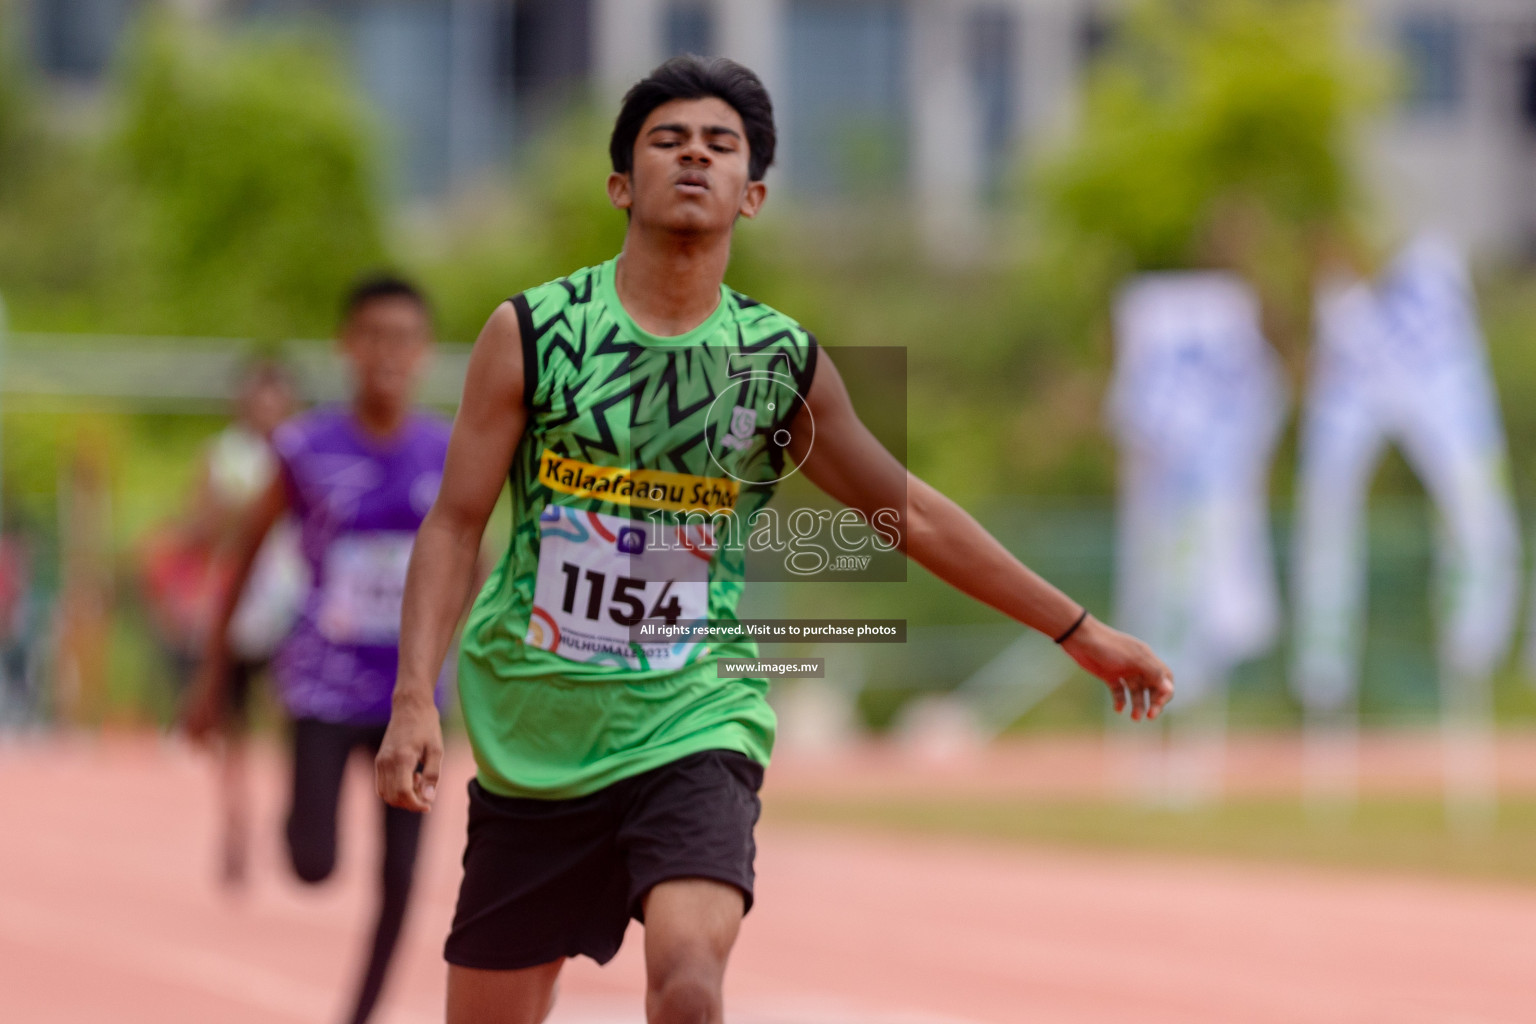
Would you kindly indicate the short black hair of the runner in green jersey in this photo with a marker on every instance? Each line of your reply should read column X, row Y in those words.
column 695, row 79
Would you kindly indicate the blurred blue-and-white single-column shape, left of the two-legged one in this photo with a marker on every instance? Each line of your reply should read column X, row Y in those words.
column 1197, row 405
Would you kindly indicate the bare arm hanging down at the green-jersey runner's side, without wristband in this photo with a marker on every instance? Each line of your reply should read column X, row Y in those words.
column 486, row 434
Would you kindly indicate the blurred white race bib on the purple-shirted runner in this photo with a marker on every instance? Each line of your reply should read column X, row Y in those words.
column 365, row 587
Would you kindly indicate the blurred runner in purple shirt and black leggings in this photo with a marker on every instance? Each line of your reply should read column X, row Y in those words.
column 357, row 481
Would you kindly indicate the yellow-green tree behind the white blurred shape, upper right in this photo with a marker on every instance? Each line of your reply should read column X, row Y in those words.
column 1214, row 134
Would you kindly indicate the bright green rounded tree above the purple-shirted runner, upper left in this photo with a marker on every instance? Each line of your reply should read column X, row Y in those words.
column 253, row 177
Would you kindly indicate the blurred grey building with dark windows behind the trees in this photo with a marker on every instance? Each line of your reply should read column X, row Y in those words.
column 930, row 99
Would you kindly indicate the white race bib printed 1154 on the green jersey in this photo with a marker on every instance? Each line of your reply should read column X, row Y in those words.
column 603, row 575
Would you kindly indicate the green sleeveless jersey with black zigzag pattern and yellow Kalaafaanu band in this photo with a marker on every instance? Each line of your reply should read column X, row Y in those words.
column 634, row 487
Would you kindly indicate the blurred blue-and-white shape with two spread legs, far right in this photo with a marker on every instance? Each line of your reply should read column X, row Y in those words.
column 1403, row 363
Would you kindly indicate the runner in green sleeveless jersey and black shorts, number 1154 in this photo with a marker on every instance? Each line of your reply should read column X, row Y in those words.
column 618, row 778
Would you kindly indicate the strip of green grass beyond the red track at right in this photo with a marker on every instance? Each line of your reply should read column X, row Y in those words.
column 1405, row 836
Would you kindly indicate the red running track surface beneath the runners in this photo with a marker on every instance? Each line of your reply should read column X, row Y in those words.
column 110, row 913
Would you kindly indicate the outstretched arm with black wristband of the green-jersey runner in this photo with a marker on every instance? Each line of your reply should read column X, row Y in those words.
column 839, row 455
